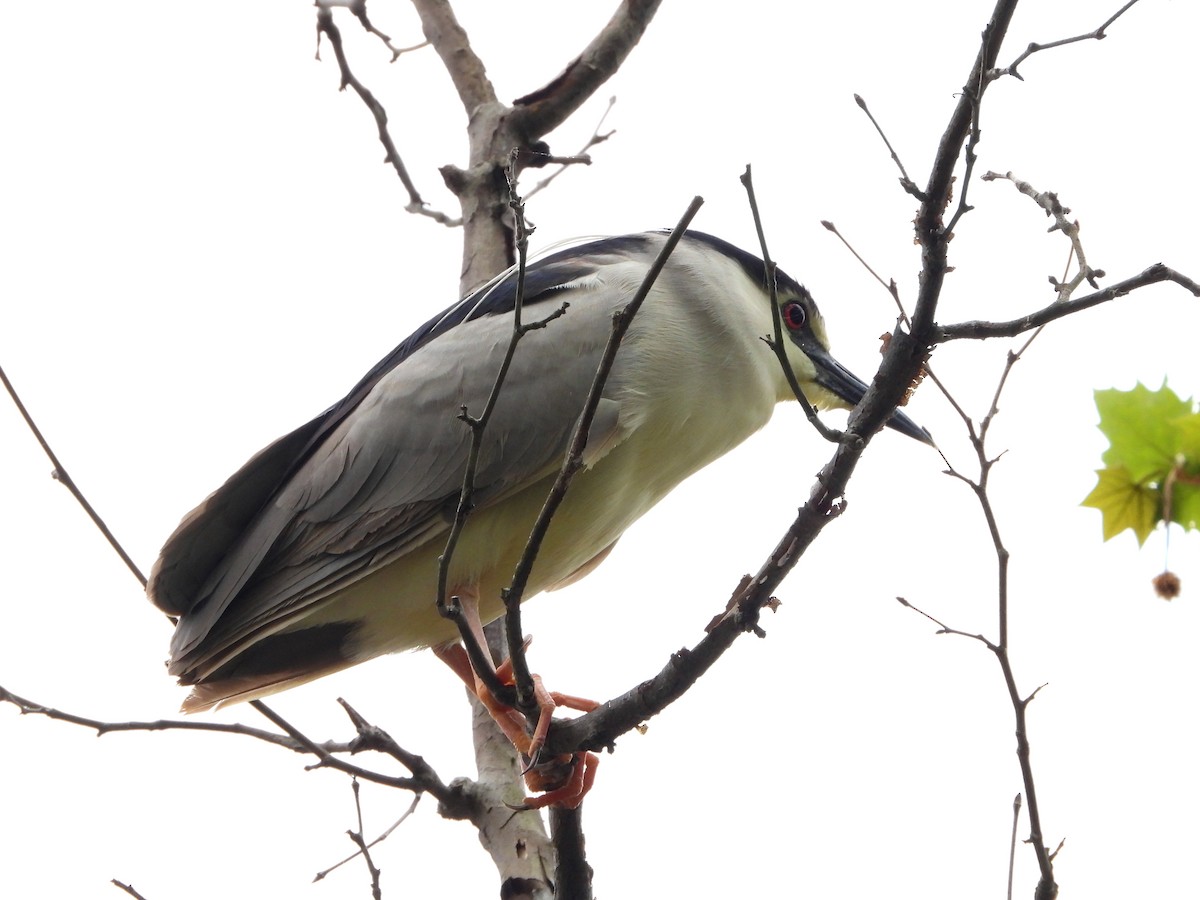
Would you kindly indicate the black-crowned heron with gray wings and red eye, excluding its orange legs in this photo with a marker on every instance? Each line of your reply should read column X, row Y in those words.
column 322, row 553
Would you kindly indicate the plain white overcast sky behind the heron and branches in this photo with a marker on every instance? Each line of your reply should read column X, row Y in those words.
column 201, row 250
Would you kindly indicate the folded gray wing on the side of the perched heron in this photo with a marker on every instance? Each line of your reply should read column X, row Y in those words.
column 387, row 477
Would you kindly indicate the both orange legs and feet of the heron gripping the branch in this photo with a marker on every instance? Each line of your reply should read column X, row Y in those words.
column 563, row 781
